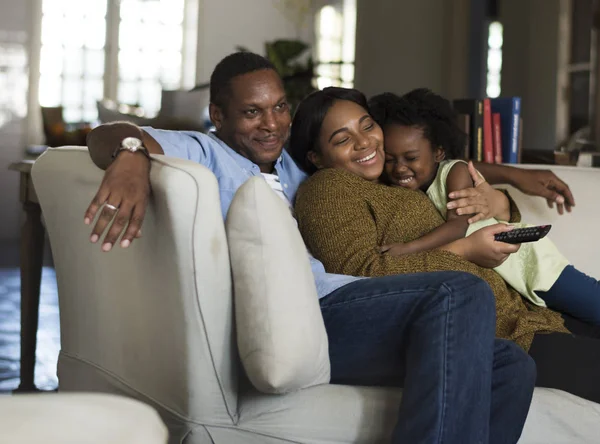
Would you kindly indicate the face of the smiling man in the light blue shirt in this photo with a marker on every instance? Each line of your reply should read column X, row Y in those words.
column 255, row 121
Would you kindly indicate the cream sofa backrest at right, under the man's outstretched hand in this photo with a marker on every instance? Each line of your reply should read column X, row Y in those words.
column 576, row 234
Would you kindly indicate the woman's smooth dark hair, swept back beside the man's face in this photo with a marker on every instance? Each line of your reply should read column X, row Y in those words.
column 308, row 119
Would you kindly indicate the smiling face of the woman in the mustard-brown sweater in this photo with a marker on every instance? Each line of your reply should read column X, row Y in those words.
column 350, row 140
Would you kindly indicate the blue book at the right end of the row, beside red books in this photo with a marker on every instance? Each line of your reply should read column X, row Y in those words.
column 509, row 109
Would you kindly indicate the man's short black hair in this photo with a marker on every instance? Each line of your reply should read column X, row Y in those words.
column 233, row 65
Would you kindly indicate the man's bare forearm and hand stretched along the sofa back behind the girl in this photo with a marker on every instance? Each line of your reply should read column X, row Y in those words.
column 543, row 183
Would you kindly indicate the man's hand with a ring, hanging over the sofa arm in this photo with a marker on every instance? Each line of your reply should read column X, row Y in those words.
column 124, row 193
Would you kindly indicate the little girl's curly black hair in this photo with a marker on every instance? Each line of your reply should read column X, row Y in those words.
column 423, row 109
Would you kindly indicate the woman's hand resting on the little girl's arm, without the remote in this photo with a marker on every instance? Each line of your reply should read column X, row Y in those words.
column 483, row 201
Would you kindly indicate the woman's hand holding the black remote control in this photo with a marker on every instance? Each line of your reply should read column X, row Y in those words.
column 482, row 249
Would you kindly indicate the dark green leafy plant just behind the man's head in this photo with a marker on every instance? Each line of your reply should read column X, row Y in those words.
column 294, row 65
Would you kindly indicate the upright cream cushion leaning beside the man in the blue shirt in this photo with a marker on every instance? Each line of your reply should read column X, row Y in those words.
column 281, row 336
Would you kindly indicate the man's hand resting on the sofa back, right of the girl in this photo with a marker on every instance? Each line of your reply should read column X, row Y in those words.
column 546, row 184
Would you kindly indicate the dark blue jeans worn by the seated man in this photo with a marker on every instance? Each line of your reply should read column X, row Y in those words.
column 432, row 334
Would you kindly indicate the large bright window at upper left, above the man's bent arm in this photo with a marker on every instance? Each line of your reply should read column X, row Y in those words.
column 124, row 50
